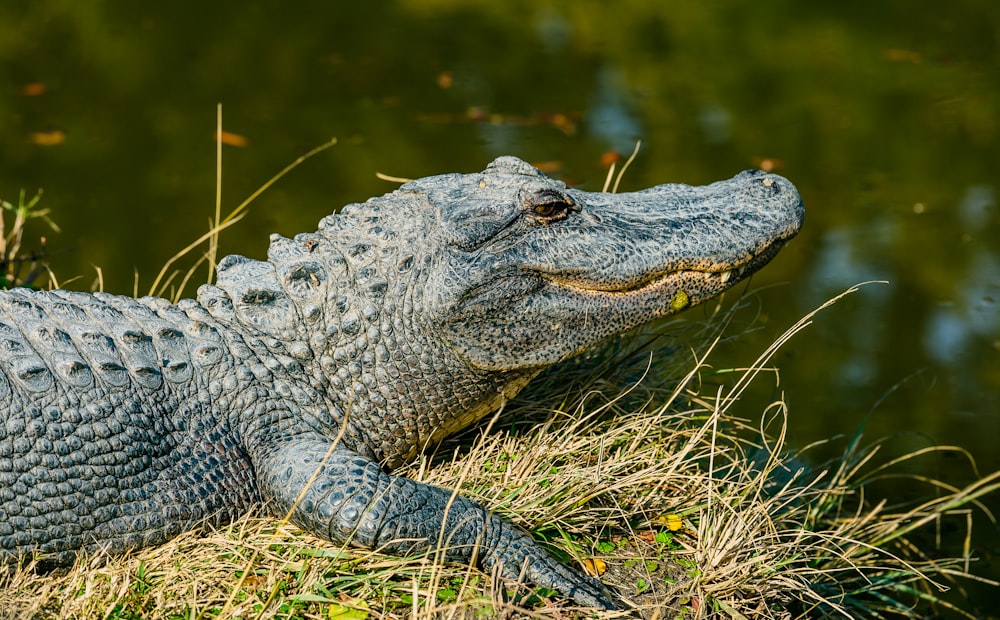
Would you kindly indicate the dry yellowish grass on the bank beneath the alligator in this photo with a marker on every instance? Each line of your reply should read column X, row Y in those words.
column 625, row 460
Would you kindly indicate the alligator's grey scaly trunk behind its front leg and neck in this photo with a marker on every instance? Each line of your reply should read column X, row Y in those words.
column 111, row 435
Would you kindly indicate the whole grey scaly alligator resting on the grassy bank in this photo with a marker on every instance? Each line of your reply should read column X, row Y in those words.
column 299, row 382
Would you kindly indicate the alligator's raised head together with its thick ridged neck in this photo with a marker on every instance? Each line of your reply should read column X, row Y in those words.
column 429, row 305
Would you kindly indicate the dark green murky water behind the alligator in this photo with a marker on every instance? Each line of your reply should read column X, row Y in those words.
column 885, row 116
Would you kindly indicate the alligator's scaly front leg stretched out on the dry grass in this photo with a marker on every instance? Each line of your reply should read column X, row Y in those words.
column 351, row 499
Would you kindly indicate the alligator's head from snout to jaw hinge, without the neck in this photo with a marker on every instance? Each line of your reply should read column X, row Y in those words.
column 529, row 272
